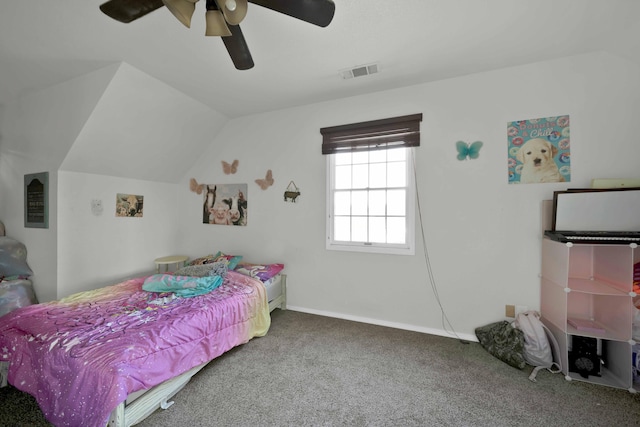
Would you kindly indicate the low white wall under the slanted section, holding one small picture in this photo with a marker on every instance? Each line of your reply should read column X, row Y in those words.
column 96, row 249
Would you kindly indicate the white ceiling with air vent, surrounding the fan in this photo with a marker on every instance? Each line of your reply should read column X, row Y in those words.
column 44, row 42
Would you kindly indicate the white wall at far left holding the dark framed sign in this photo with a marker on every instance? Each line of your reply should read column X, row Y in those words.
column 37, row 132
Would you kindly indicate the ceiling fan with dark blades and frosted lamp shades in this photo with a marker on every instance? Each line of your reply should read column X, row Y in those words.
column 223, row 17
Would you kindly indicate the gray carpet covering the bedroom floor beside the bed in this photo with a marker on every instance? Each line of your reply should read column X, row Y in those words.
column 316, row 371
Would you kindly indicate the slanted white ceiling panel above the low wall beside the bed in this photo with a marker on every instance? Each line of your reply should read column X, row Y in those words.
column 142, row 129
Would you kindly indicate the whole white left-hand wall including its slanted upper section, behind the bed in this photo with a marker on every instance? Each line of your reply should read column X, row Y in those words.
column 115, row 130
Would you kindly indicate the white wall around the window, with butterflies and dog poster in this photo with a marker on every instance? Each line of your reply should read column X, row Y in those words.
column 482, row 234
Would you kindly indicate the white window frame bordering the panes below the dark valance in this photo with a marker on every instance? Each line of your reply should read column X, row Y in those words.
column 408, row 248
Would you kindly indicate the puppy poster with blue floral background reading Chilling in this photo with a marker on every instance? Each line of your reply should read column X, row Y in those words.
column 539, row 150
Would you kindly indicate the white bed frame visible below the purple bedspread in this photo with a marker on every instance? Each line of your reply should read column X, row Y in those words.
column 143, row 403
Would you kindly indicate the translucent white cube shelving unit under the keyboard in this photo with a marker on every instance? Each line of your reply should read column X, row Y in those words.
column 591, row 283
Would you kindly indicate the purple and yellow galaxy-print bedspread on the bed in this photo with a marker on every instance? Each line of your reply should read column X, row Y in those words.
column 81, row 356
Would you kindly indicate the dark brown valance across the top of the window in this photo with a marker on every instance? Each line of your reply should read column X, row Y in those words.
column 381, row 134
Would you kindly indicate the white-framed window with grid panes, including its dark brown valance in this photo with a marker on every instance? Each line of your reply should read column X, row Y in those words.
column 370, row 186
